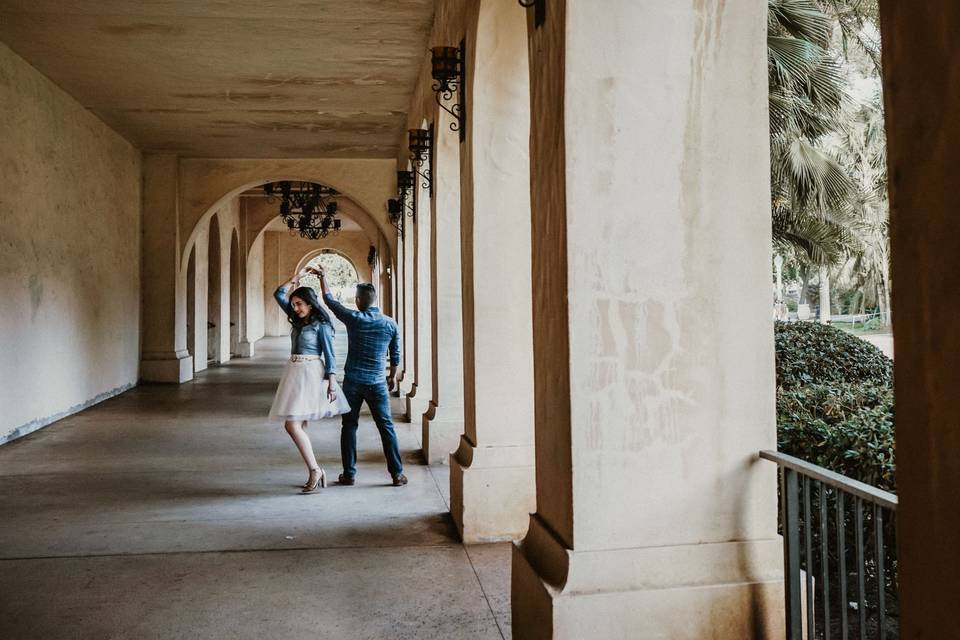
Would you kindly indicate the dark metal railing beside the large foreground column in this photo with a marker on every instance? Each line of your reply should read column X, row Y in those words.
column 840, row 560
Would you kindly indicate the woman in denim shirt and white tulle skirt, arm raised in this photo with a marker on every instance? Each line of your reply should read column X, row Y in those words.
column 308, row 388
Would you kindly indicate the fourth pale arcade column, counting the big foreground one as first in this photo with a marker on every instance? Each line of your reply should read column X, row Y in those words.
column 418, row 398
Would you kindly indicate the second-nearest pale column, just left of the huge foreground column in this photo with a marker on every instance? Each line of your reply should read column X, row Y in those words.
column 491, row 473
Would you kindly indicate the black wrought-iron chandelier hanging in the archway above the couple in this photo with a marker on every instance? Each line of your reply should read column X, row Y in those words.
column 307, row 208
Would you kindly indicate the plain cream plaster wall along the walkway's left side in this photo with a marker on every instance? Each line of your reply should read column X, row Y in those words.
column 70, row 256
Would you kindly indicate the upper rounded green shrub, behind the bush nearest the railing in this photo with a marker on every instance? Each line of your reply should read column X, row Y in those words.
column 813, row 353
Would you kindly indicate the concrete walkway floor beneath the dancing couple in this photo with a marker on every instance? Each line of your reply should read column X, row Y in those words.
column 173, row 512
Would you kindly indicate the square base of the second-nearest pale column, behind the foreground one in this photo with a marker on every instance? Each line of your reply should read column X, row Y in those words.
column 492, row 491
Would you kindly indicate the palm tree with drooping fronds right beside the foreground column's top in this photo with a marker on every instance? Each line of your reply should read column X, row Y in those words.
column 811, row 191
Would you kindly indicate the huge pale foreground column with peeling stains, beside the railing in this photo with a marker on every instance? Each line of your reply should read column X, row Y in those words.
column 653, row 341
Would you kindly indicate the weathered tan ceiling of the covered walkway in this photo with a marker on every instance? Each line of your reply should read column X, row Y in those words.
column 233, row 78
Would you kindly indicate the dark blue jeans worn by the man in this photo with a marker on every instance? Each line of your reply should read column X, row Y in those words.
column 377, row 398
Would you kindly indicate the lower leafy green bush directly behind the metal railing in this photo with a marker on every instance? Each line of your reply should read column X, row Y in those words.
column 847, row 428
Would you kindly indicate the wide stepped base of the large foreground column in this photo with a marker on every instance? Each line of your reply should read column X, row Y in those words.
column 687, row 592
